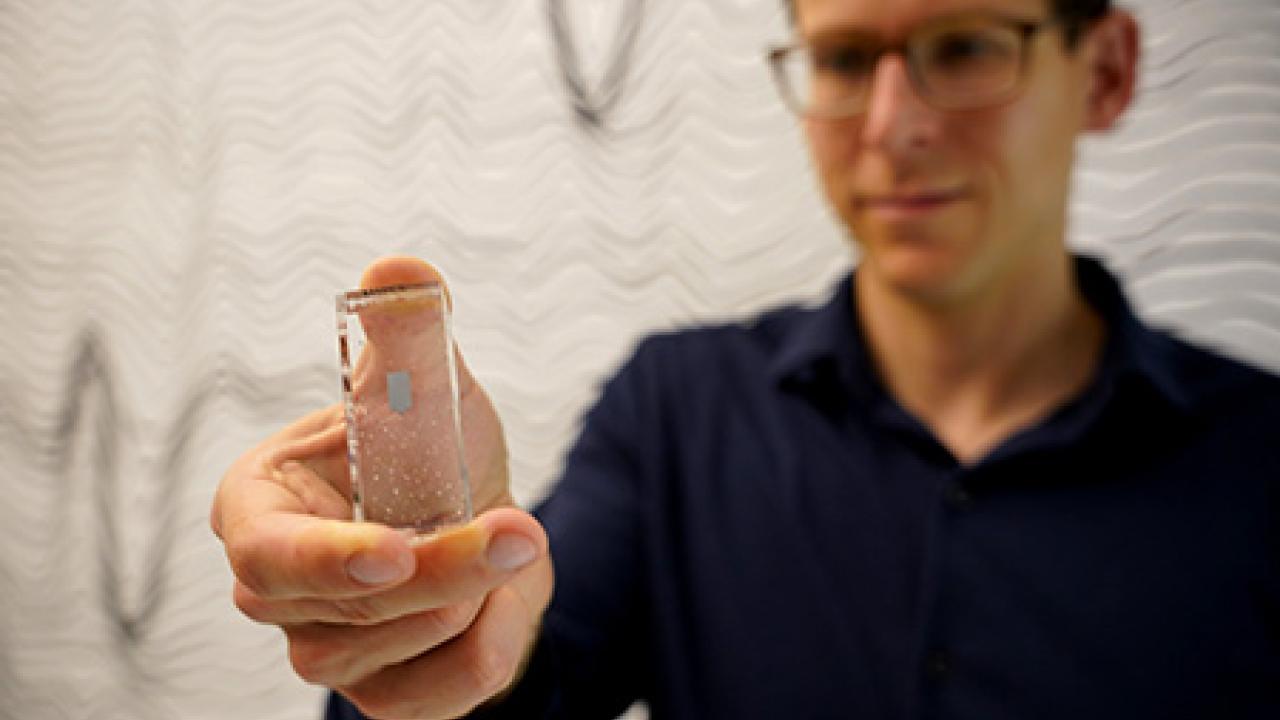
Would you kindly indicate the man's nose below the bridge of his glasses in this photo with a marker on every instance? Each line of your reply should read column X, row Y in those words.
column 898, row 121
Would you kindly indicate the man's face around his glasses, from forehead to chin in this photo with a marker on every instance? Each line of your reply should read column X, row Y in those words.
column 948, row 204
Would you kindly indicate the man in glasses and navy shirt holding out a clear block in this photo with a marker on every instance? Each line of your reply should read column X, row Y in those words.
column 973, row 485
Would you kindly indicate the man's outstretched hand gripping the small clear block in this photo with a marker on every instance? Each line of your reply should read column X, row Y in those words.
column 404, row 628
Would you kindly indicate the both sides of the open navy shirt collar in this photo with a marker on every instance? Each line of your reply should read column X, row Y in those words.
column 825, row 349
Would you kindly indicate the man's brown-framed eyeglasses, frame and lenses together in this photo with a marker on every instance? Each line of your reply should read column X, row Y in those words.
column 957, row 63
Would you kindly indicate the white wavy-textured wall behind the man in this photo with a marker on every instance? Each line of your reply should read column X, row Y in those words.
column 186, row 185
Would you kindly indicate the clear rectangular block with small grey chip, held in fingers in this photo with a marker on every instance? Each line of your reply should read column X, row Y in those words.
column 400, row 389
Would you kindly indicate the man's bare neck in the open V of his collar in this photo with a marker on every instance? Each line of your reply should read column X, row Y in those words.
column 980, row 368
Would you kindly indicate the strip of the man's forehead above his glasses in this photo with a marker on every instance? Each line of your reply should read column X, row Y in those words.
column 892, row 17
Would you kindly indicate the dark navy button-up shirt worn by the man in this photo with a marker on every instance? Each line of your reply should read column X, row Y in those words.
column 749, row 527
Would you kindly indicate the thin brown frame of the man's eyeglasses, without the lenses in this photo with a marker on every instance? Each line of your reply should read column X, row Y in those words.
column 1027, row 31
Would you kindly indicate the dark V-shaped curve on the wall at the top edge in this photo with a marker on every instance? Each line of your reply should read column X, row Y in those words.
column 592, row 106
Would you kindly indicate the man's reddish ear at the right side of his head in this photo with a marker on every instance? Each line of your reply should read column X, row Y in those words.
column 1112, row 52
